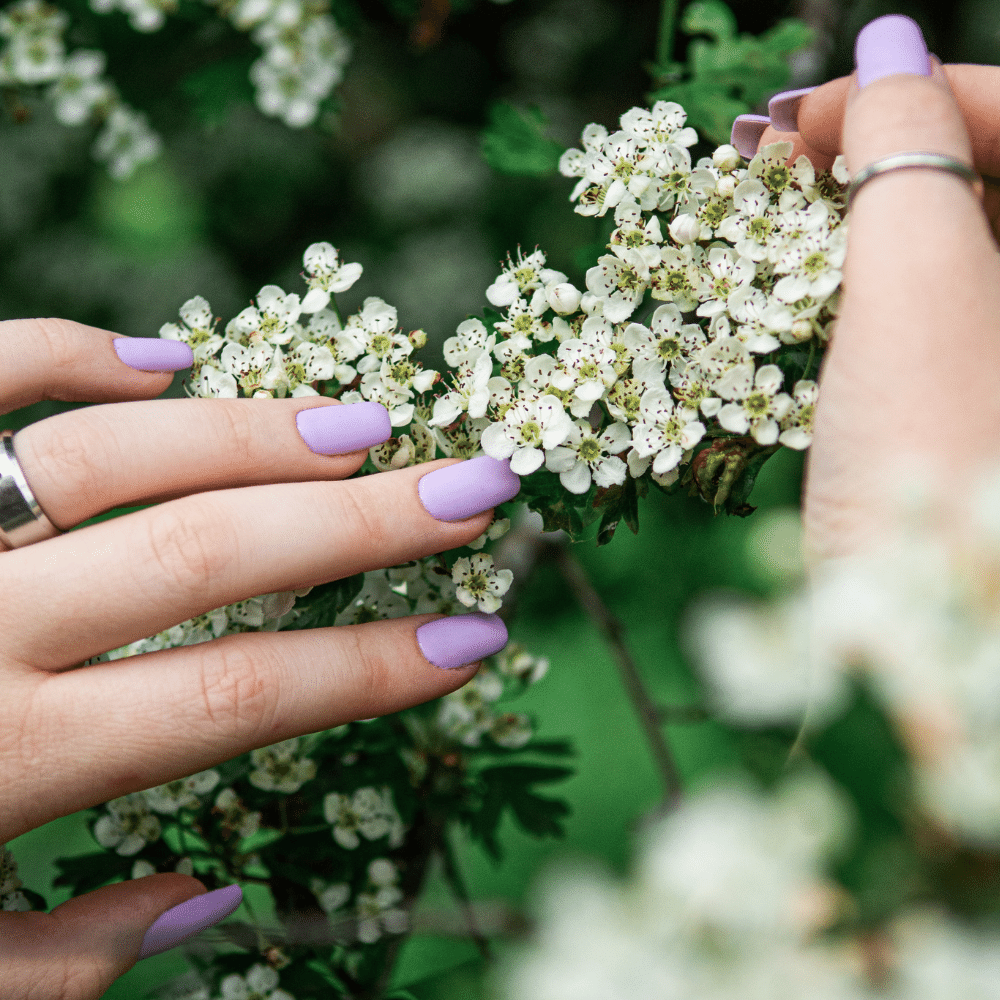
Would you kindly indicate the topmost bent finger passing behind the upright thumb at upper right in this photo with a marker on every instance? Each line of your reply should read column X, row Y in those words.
column 820, row 114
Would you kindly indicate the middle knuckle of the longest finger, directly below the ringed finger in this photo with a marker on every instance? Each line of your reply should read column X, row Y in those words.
column 190, row 545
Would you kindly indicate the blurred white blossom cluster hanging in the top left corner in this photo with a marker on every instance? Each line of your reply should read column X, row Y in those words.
column 34, row 52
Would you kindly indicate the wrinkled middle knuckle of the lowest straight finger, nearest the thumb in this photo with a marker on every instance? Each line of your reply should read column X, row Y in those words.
column 238, row 693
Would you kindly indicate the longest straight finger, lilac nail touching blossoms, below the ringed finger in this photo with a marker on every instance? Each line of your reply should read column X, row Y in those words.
column 165, row 564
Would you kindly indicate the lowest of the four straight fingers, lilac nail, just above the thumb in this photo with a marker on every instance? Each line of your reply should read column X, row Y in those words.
column 162, row 716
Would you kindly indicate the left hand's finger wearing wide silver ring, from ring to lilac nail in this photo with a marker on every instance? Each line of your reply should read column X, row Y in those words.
column 85, row 462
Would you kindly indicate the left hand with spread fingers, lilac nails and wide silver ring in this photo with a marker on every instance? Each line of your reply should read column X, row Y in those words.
column 251, row 509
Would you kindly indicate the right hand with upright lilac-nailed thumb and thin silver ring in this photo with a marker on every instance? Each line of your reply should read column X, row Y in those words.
column 913, row 369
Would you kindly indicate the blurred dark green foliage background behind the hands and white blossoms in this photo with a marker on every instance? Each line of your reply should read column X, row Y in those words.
column 392, row 175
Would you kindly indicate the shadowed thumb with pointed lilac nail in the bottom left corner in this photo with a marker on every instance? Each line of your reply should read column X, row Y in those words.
column 79, row 949
